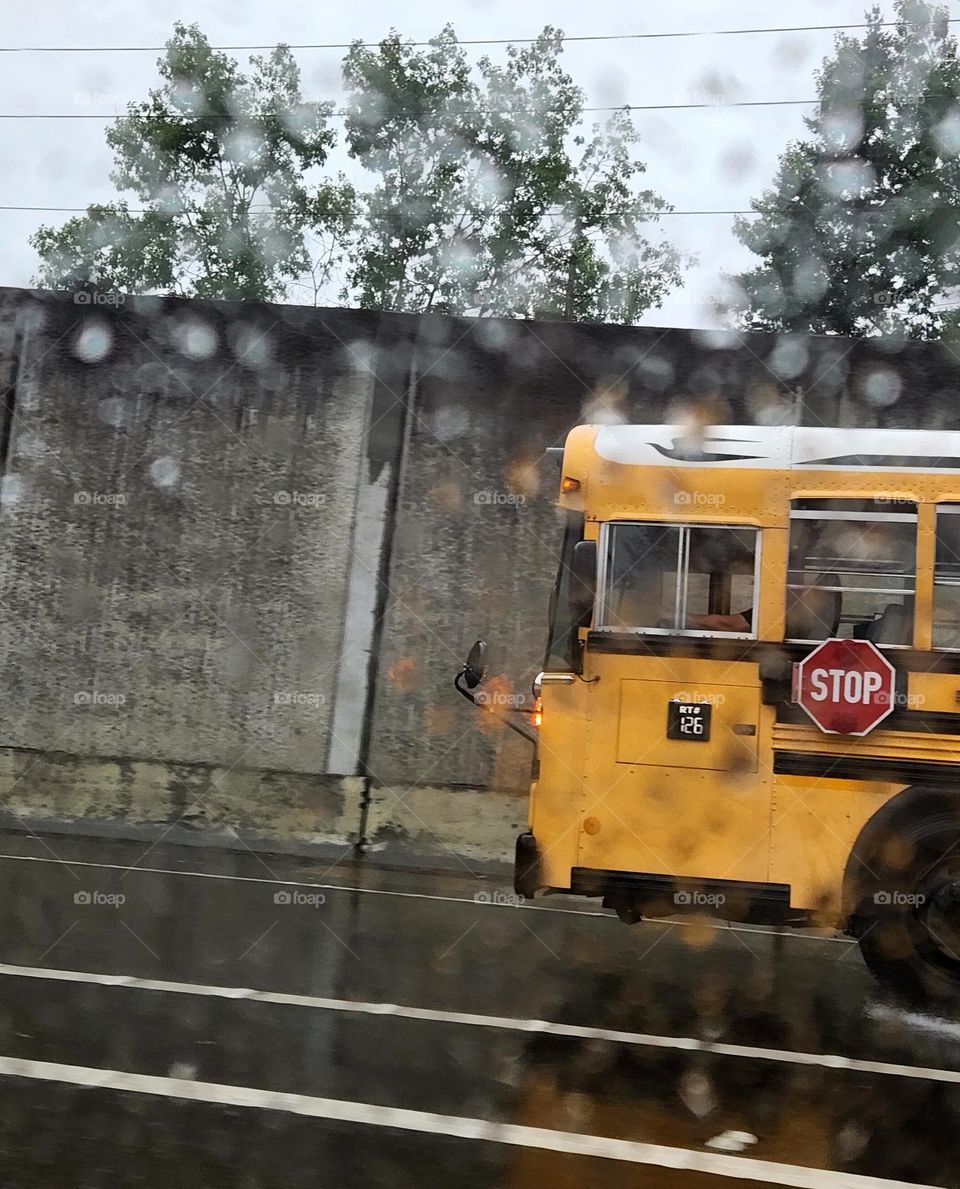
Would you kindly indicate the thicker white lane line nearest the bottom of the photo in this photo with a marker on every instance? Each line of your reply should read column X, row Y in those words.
column 457, row 1127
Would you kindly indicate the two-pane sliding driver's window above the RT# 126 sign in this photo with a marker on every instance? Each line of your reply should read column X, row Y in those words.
column 679, row 578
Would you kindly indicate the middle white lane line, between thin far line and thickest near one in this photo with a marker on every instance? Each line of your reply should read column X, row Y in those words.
column 470, row 1020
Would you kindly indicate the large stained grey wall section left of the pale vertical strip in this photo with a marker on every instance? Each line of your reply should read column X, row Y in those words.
column 177, row 518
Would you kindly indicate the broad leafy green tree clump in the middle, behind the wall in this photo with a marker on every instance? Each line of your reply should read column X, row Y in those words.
column 488, row 199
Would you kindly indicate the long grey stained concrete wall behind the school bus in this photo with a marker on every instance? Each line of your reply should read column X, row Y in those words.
column 252, row 545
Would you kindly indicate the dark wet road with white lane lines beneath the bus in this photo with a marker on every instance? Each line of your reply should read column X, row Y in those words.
column 202, row 1018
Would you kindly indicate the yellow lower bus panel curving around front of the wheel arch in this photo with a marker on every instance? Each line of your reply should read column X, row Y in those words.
column 817, row 822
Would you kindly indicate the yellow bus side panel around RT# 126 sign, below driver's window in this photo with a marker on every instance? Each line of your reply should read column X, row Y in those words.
column 661, row 817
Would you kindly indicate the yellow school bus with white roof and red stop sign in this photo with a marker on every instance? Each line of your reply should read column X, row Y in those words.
column 677, row 770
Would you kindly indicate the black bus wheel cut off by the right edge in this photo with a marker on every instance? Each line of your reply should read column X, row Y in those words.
column 905, row 883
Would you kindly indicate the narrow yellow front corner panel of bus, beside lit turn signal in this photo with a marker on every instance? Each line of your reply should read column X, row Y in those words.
column 556, row 796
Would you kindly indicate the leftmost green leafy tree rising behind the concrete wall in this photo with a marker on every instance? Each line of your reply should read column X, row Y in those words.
column 218, row 161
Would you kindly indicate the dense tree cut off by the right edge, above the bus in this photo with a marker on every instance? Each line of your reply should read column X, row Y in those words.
column 861, row 232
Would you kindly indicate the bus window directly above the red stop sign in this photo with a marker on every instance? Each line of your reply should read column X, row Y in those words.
column 851, row 573
